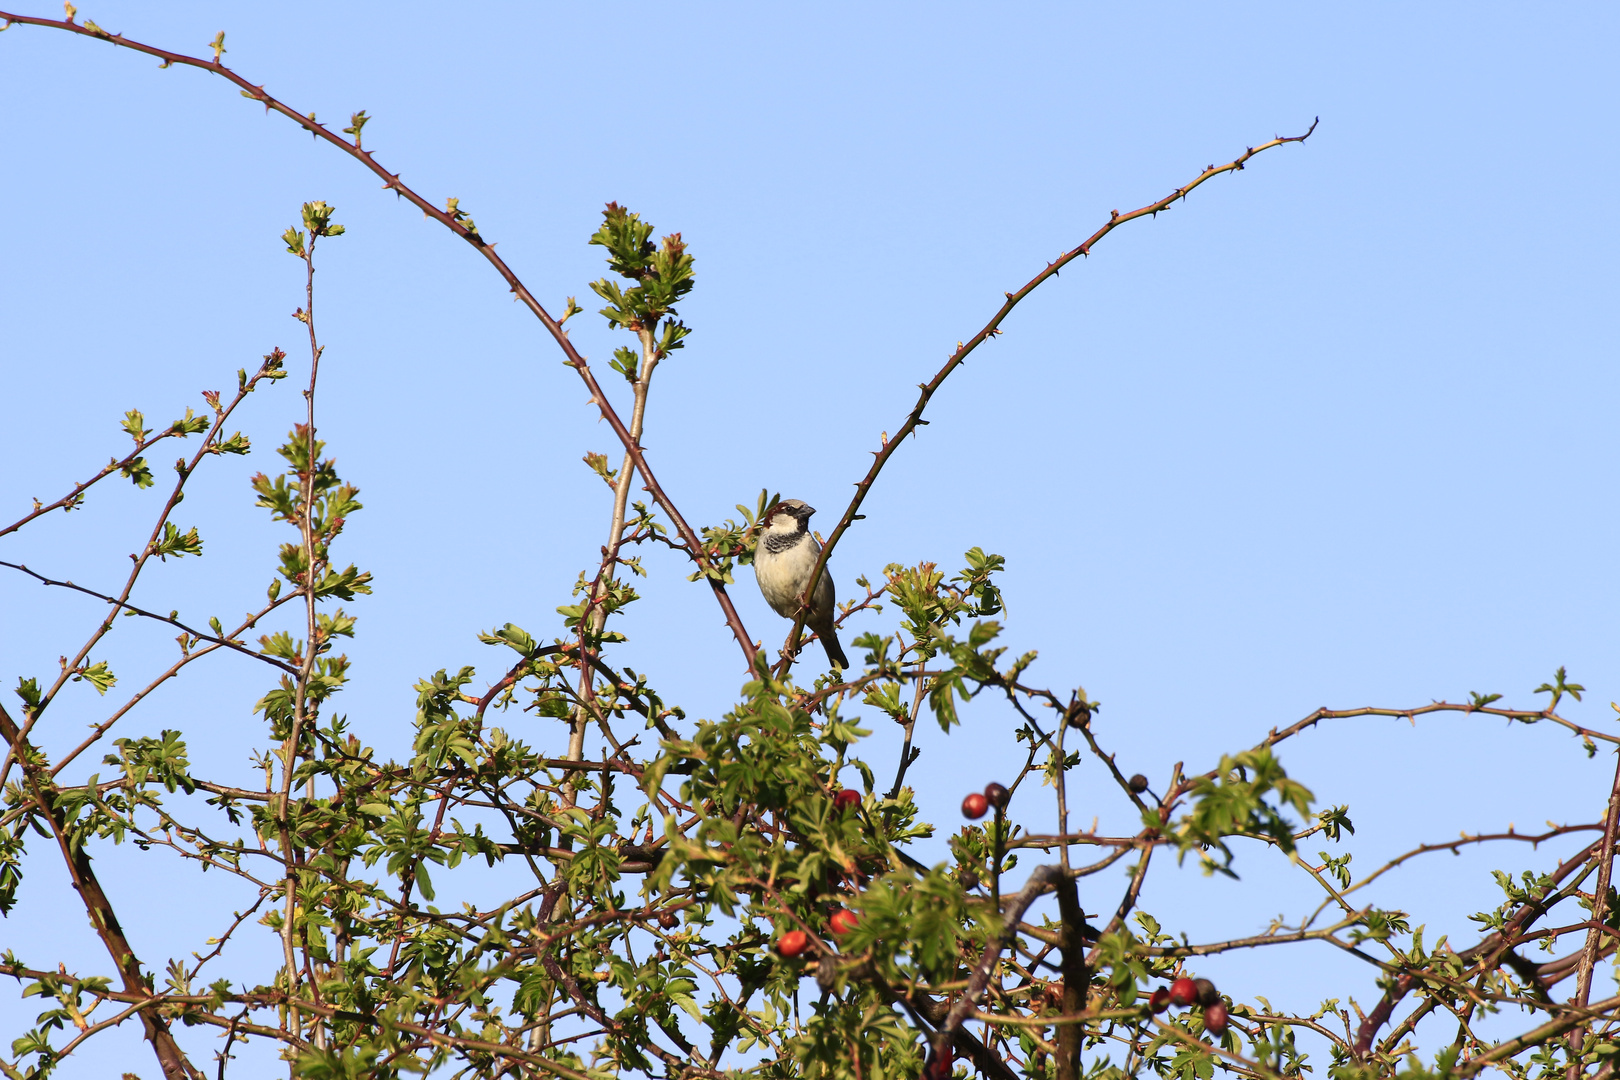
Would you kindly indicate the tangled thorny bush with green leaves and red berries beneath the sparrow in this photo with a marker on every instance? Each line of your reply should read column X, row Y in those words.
column 702, row 898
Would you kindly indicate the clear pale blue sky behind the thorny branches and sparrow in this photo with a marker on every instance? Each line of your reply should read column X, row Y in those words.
column 1336, row 432
